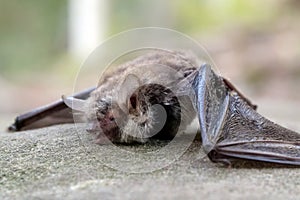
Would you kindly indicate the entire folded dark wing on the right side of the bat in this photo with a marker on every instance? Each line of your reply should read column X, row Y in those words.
column 231, row 128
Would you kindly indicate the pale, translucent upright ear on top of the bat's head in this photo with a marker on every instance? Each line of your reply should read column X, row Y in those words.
column 126, row 89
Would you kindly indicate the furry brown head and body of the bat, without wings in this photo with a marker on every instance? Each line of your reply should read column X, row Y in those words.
column 138, row 100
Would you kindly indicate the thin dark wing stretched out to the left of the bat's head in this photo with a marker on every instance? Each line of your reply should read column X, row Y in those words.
column 55, row 113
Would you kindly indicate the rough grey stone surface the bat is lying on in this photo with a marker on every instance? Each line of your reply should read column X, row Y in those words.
column 60, row 163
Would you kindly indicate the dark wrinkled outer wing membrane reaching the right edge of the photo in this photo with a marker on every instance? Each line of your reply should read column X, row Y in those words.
column 248, row 135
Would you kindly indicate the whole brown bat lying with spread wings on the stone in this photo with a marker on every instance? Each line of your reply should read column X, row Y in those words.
column 229, row 124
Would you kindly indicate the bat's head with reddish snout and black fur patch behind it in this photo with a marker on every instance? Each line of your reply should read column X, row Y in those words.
column 134, row 113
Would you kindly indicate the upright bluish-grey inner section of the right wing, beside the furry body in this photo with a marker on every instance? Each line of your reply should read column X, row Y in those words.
column 212, row 103
